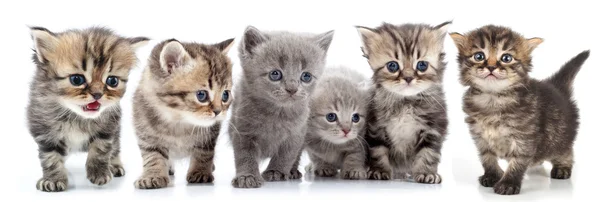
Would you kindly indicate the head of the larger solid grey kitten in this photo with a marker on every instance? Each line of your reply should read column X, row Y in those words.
column 282, row 67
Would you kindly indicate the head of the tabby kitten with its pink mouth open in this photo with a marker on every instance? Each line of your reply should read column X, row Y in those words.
column 84, row 70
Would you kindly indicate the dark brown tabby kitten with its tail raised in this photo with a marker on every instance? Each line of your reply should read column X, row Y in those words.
column 513, row 116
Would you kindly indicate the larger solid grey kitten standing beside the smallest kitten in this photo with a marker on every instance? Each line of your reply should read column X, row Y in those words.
column 271, row 107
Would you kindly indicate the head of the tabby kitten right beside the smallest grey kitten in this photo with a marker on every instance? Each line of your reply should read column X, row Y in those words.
column 406, row 59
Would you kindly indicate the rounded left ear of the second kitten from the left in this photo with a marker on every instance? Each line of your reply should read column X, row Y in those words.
column 173, row 56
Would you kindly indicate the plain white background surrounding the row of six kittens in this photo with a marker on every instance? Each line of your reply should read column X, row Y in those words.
column 568, row 28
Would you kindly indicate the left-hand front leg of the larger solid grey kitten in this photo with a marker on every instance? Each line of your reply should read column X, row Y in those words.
column 245, row 152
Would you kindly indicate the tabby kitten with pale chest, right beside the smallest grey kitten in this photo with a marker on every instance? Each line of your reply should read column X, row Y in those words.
column 407, row 123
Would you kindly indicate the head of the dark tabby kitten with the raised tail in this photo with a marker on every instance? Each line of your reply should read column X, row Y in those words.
column 494, row 58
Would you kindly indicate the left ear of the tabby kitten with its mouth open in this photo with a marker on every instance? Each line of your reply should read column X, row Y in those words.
column 44, row 42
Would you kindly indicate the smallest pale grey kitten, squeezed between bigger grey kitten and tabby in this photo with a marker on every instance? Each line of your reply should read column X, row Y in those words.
column 336, row 127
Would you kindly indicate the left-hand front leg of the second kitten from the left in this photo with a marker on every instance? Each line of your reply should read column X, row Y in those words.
column 156, row 168
